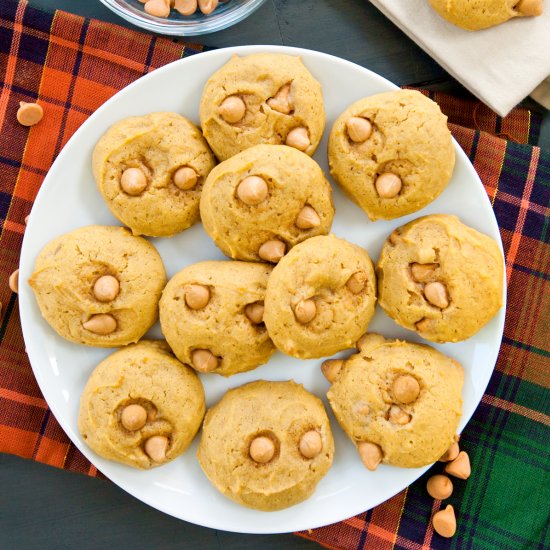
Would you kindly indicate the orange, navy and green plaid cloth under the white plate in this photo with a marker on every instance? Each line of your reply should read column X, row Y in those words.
column 71, row 65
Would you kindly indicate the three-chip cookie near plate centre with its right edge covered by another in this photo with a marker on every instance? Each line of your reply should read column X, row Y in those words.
column 211, row 314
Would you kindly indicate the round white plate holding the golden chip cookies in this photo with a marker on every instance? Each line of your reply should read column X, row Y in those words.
column 69, row 199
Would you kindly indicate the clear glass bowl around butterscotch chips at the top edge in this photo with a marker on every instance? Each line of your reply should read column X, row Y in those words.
column 226, row 14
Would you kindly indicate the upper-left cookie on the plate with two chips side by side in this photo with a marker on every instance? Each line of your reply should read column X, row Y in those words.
column 150, row 171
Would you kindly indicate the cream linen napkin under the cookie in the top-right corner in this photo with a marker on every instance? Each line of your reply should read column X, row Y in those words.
column 501, row 65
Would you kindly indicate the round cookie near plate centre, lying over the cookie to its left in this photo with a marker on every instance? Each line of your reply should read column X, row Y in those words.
column 320, row 297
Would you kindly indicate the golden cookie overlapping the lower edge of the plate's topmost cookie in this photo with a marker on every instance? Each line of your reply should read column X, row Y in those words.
column 258, row 204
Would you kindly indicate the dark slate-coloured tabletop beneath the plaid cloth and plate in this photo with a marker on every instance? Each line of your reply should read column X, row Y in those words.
column 42, row 507
